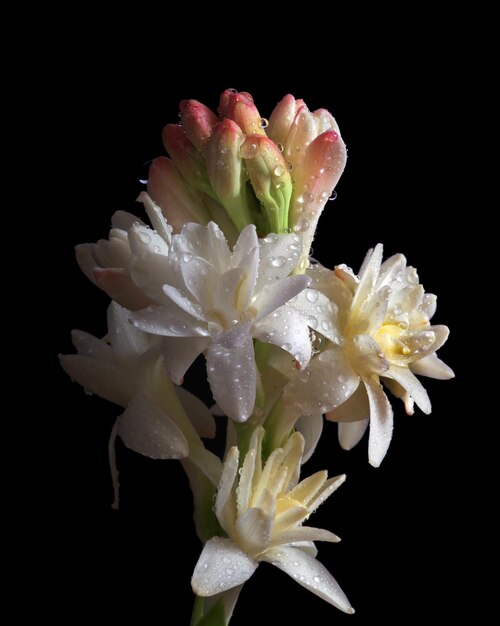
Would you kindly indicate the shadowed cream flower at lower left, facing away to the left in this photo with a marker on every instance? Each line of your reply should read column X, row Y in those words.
column 127, row 369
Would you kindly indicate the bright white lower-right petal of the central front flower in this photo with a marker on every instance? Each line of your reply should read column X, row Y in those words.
column 288, row 330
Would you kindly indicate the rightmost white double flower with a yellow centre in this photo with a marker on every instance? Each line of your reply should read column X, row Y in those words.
column 382, row 332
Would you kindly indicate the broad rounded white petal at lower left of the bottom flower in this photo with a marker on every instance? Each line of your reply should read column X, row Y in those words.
column 222, row 565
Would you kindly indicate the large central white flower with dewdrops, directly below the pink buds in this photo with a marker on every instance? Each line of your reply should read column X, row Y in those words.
column 215, row 301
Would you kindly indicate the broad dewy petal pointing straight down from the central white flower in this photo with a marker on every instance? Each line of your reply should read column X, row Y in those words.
column 232, row 375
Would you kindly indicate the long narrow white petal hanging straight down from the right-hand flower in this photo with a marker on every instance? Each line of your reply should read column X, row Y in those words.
column 381, row 422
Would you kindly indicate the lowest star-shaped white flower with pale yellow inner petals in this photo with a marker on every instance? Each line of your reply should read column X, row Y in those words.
column 262, row 510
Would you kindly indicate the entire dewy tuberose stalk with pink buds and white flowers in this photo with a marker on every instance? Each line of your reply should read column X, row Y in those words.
column 223, row 270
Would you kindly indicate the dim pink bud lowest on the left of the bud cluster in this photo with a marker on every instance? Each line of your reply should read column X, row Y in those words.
column 179, row 202
